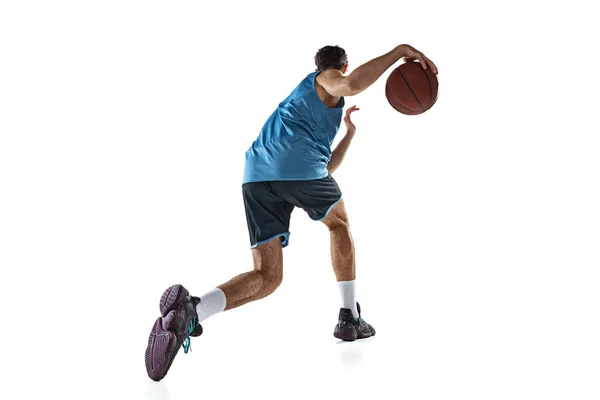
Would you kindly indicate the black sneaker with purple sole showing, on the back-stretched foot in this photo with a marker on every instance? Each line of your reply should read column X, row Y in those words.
column 172, row 330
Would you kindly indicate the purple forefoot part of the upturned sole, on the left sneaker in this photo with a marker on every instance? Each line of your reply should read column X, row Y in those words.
column 161, row 351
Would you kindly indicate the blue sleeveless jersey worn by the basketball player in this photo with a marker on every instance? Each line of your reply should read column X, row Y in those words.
column 295, row 142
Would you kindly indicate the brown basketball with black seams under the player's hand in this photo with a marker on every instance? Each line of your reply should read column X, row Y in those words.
column 410, row 89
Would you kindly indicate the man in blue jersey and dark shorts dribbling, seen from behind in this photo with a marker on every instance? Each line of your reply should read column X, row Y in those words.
column 289, row 165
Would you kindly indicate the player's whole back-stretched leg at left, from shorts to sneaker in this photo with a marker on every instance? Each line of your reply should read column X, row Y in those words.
column 268, row 219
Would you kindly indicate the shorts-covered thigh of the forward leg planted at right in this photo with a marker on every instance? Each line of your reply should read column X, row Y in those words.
column 317, row 197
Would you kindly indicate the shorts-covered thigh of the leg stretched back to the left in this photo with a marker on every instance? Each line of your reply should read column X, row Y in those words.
column 267, row 214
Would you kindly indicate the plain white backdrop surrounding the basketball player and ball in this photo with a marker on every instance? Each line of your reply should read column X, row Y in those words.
column 123, row 130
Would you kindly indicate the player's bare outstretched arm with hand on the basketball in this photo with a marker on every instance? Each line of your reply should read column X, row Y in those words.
column 338, row 85
